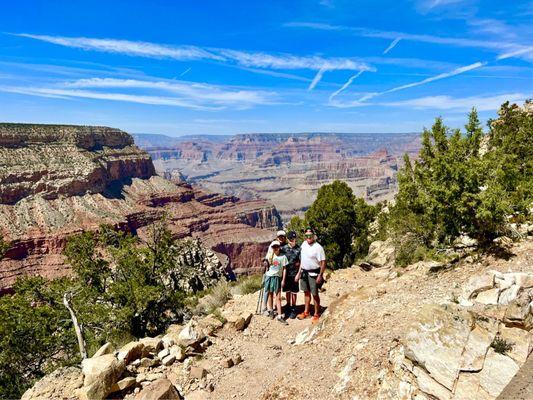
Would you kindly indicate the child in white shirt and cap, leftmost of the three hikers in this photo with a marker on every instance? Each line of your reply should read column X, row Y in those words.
column 275, row 277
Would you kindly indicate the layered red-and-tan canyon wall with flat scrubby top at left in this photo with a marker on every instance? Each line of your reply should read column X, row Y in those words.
column 60, row 180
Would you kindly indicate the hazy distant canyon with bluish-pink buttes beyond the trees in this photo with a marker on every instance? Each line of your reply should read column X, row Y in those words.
column 284, row 169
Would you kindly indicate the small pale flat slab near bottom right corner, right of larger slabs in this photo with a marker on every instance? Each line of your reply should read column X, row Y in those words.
column 497, row 372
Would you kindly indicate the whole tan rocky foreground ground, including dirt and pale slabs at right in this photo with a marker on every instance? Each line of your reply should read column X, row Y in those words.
column 376, row 339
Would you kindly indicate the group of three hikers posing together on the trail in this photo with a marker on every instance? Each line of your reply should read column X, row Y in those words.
column 289, row 268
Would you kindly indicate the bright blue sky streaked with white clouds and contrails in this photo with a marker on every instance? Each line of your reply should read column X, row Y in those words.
column 177, row 67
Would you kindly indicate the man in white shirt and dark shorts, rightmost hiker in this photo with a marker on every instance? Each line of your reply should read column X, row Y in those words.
column 311, row 273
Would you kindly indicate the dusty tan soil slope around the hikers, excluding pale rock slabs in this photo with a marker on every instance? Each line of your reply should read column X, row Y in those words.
column 367, row 313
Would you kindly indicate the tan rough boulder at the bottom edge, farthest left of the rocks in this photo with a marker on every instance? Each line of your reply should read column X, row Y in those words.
column 60, row 384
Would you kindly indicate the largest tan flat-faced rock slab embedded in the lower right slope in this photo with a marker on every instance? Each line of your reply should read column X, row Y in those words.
column 436, row 341
